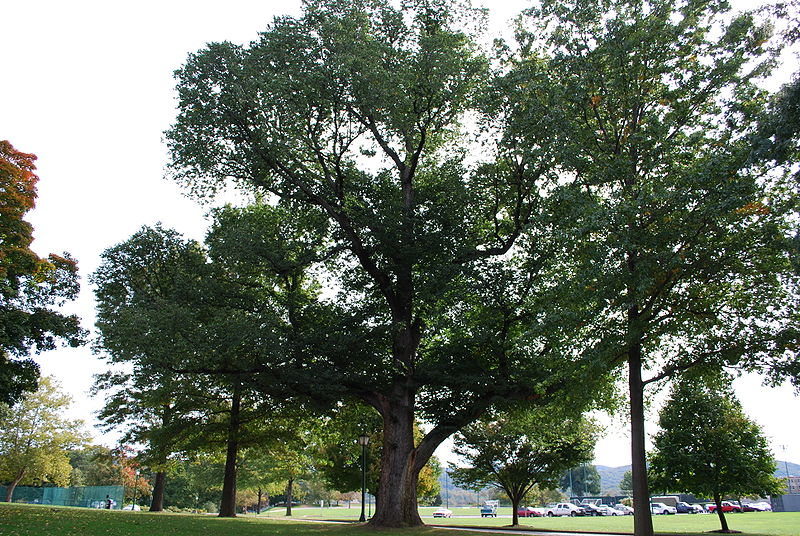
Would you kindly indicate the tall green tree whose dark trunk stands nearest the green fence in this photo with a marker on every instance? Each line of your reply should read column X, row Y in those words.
column 136, row 287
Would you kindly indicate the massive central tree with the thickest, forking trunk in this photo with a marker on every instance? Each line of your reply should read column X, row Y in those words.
column 354, row 111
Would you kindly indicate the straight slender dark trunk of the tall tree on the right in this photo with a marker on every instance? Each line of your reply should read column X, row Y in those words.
column 642, row 518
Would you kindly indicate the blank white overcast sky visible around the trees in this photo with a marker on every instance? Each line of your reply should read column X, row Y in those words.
column 87, row 86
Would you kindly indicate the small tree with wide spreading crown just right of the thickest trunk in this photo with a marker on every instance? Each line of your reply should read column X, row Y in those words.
column 514, row 452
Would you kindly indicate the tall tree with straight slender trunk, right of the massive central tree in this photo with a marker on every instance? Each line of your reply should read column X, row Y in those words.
column 678, row 238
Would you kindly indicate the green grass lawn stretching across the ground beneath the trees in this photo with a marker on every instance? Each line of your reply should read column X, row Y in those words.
column 35, row 520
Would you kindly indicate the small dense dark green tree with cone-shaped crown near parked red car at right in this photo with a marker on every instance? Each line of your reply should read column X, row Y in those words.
column 721, row 453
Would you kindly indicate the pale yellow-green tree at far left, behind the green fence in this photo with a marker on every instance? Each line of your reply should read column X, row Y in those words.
column 35, row 438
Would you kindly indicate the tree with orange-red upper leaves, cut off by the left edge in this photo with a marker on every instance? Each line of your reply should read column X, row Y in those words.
column 29, row 285
